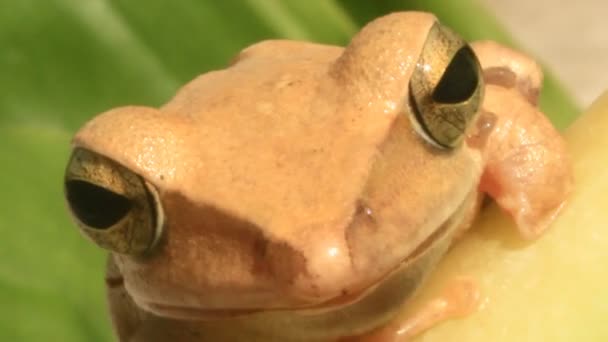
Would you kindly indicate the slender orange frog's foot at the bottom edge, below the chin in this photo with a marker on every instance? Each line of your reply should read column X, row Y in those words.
column 458, row 299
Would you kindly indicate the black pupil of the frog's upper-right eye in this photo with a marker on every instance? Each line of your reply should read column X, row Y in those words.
column 460, row 78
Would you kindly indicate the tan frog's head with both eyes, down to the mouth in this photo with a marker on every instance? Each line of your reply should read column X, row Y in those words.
column 299, row 177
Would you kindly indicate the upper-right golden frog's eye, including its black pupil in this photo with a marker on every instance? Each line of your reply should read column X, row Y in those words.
column 446, row 88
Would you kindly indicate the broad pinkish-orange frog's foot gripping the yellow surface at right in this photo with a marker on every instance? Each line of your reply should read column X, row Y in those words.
column 527, row 169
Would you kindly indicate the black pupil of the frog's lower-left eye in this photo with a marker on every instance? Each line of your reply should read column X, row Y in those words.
column 95, row 206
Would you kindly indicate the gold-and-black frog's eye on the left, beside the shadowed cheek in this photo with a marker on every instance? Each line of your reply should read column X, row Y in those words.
column 113, row 206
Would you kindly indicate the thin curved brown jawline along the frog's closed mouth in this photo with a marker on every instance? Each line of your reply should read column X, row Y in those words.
column 398, row 284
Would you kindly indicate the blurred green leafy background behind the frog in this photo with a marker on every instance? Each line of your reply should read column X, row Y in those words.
column 63, row 61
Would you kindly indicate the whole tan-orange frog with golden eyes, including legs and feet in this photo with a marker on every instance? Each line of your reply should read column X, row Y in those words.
column 306, row 191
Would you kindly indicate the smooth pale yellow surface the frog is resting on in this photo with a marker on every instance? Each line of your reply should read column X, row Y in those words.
column 555, row 288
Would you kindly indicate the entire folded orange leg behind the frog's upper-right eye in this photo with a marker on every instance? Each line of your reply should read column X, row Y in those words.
column 527, row 169
